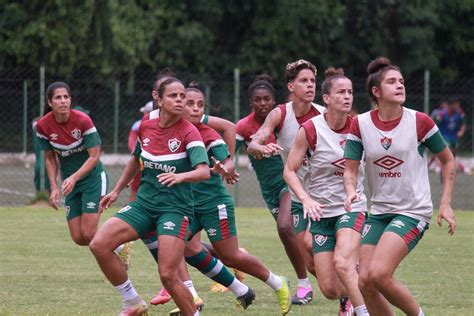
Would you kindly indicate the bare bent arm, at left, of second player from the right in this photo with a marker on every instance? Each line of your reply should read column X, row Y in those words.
column 297, row 153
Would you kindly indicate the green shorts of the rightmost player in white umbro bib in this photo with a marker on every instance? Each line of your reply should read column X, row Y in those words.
column 410, row 229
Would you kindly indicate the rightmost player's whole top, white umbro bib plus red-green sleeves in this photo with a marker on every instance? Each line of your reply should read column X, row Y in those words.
column 396, row 161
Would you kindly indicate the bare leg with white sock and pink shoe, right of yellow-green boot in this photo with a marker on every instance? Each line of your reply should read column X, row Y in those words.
column 304, row 291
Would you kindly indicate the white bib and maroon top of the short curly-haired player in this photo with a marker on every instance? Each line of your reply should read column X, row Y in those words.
column 287, row 130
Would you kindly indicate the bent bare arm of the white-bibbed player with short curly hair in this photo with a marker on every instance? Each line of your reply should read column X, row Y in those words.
column 256, row 146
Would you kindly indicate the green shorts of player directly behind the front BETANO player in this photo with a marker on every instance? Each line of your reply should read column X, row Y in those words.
column 219, row 224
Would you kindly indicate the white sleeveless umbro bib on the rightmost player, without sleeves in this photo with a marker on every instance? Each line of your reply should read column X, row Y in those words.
column 397, row 174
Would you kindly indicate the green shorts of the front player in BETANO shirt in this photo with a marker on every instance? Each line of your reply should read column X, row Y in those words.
column 164, row 223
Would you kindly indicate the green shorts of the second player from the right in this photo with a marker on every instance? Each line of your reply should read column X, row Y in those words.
column 324, row 231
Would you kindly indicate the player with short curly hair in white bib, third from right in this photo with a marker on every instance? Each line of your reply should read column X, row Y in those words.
column 286, row 119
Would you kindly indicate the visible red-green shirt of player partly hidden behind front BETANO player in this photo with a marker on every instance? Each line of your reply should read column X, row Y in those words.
column 212, row 190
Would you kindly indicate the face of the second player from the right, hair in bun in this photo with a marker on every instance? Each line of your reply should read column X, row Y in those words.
column 340, row 96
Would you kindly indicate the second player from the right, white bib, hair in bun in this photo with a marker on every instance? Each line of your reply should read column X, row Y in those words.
column 336, row 233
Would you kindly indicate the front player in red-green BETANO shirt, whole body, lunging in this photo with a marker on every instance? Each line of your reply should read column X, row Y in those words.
column 171, row 154
